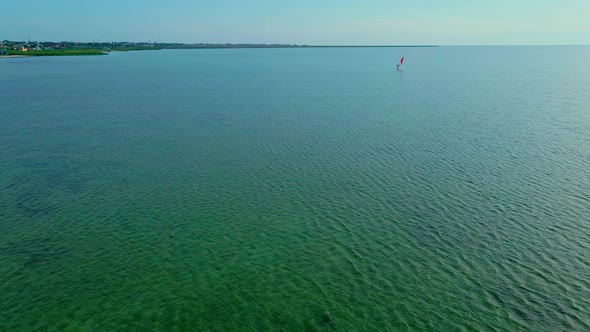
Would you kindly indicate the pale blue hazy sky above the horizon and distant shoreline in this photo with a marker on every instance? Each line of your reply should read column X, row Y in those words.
column 311, row 22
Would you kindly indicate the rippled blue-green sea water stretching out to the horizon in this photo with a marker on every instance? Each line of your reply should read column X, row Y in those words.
column 297, row 190
